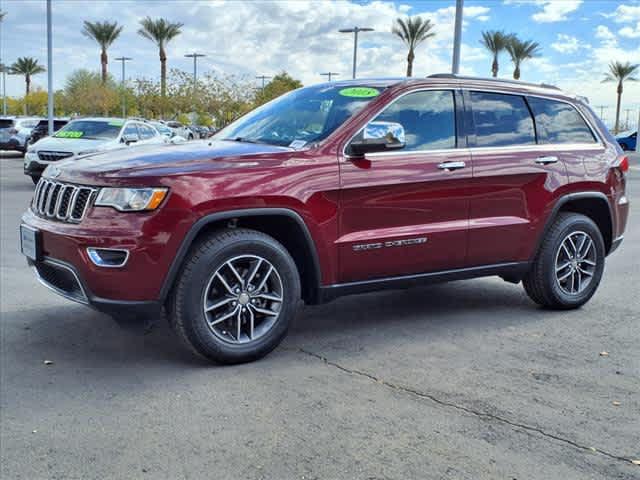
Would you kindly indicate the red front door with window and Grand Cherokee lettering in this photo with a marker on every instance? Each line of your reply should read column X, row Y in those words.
column 404, row 212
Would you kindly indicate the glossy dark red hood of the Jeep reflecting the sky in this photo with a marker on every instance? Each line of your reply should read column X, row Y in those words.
column 167, row 159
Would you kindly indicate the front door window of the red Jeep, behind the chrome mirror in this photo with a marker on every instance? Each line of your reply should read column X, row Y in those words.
column 428, row 119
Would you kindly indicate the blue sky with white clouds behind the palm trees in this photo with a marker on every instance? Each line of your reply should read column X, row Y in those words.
column 578, row 38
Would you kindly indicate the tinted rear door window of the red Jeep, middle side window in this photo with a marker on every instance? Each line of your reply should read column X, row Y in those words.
column 501, row 120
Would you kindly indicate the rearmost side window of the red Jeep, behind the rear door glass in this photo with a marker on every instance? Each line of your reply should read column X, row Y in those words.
column 559, row 122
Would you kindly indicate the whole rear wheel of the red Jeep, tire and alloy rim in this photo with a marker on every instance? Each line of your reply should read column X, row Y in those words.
column 568, row 268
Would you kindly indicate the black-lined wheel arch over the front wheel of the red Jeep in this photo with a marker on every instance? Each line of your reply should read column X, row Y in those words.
column 283, row 224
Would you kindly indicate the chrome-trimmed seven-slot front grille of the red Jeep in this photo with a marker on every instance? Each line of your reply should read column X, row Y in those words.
column 61, row 201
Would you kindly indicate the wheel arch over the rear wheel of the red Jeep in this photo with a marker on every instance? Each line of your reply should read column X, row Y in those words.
column 594, row 205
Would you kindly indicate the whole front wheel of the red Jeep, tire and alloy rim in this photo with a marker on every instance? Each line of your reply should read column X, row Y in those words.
column 236, row 295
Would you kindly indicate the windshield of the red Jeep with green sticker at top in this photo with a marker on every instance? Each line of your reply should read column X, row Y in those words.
column 302, row 116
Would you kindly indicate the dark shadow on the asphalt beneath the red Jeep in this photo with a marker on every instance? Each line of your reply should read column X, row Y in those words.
column 91, row 339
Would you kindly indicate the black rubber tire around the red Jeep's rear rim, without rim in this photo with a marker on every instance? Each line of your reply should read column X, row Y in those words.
column 543, row 285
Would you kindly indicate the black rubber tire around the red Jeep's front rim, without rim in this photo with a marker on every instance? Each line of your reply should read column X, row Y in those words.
column 187, row 315
